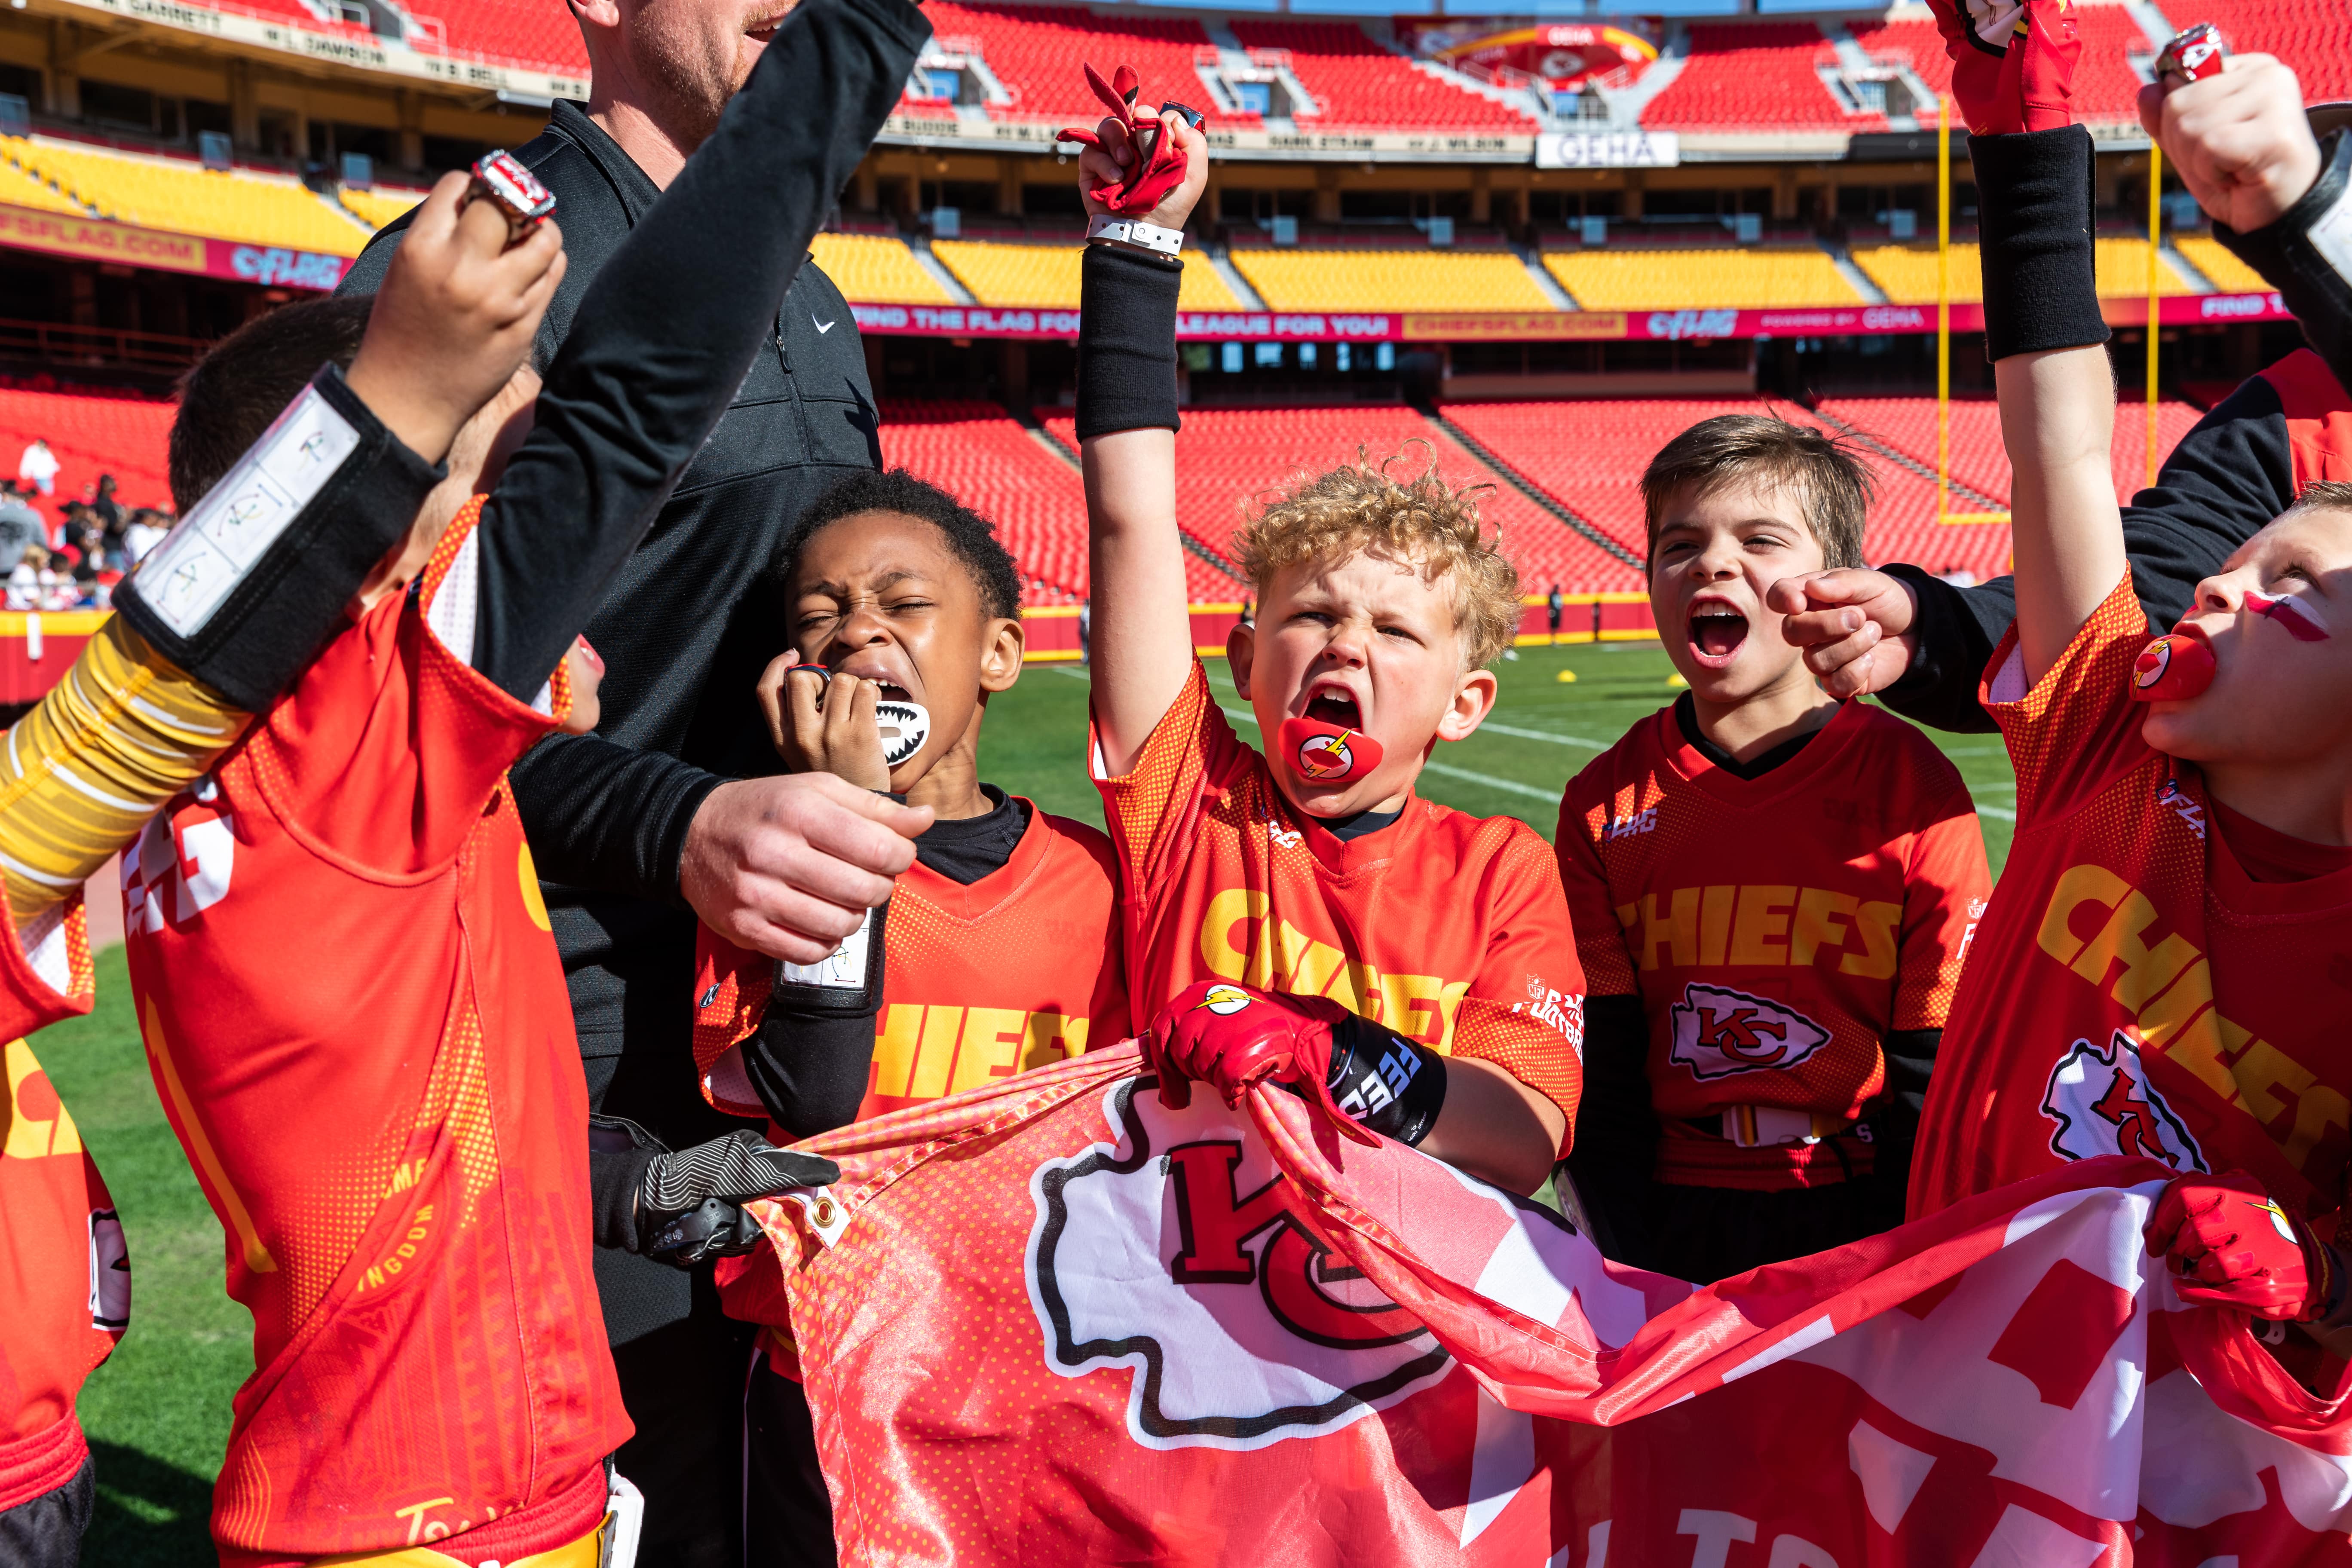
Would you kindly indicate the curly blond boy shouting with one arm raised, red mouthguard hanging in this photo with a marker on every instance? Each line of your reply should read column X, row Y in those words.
column 1431, row 972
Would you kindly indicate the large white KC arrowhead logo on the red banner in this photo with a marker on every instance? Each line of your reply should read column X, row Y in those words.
column 1180, row 1257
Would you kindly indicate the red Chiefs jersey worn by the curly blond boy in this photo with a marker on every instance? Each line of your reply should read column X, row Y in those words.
column 1445, row 927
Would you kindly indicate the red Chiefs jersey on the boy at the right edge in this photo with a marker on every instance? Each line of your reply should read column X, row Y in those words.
column 2132, row 989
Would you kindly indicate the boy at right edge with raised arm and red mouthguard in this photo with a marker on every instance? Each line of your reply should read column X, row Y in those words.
column 2156, row 970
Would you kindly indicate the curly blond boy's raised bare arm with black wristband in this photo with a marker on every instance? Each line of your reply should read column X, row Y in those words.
column 1142, row 645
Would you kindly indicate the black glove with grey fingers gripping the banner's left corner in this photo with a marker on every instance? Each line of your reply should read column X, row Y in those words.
column 686, row 1209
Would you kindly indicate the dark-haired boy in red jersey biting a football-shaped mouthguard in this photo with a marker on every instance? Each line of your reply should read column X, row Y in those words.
column 998, row 949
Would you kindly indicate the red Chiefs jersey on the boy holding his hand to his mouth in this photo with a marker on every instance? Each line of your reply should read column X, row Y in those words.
column 1013, row 972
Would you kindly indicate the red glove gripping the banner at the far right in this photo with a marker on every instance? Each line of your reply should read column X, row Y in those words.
column 2231, row 1245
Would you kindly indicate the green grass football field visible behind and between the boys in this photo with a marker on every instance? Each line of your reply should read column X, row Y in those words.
column 159, row 1412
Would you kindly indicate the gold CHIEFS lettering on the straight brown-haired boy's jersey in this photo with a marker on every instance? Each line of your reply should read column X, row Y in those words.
column 1772, row 925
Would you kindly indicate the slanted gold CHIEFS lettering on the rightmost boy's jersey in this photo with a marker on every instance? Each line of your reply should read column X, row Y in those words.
column 2167, row 986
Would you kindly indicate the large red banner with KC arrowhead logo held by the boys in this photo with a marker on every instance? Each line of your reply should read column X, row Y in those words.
column 1055, row 1322
